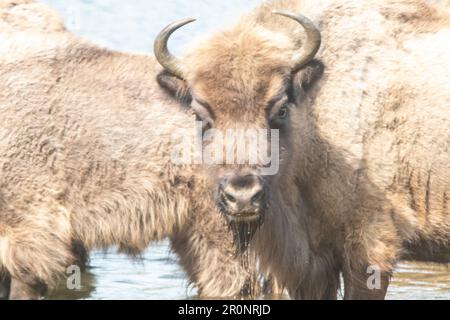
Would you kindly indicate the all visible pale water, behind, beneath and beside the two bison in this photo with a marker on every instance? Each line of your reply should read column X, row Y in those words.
column 131, row 26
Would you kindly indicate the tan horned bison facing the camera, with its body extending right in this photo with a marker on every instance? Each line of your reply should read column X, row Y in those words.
column 364, row 124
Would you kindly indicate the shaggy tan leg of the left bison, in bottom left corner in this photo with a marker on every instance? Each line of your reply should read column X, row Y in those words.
column 39, row 250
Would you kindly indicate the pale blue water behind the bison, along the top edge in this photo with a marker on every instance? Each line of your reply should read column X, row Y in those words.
column 133, row 24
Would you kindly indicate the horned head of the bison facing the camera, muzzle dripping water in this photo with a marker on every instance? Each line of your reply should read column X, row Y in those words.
column 249, row 77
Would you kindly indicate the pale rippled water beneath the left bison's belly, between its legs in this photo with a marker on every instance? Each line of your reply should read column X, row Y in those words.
column 156, row 275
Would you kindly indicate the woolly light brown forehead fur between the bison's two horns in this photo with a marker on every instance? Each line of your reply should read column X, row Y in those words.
column 235, row 68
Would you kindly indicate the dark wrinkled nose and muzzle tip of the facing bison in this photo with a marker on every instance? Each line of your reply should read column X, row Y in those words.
column 242, row 195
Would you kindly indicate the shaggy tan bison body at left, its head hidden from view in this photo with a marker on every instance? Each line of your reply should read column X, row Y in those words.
column 85, row 161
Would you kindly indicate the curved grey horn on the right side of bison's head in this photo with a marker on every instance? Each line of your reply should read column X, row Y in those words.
column 313, row 40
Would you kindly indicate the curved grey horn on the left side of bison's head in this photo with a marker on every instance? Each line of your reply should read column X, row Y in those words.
column 162, row 54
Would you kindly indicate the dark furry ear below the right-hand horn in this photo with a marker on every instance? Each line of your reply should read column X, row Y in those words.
column 305, row 78
